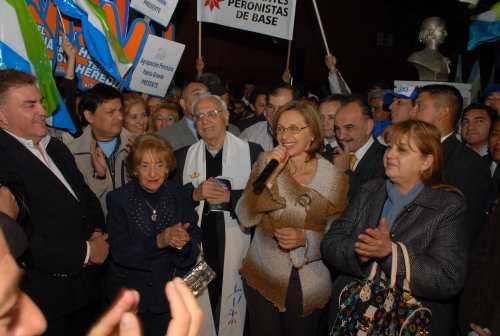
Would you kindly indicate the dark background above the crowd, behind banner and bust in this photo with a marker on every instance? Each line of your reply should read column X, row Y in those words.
column 371, row 39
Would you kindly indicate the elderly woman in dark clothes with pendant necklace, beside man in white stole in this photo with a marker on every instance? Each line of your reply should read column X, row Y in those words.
column 153, row 232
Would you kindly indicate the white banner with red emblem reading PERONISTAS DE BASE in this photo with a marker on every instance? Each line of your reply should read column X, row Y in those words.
column 275, row 18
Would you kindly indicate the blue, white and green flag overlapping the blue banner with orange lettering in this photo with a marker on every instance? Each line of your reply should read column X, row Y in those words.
column 99, row 38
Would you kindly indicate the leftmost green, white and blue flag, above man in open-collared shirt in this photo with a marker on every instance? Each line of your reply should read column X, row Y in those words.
column 22, row 48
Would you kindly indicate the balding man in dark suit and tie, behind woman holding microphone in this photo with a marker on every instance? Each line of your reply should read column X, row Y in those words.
column 353, row 129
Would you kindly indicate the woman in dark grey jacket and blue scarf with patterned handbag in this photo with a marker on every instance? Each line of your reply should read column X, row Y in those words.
column 412, row 207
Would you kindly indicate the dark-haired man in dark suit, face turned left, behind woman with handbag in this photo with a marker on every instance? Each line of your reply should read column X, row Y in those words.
column 440, row 105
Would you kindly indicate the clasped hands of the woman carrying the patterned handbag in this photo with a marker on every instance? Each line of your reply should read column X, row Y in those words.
column 374, row 243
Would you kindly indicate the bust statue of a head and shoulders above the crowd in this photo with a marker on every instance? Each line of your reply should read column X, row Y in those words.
column 430, row 63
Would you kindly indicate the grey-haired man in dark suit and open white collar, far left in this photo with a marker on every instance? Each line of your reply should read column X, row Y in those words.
column 63, row 213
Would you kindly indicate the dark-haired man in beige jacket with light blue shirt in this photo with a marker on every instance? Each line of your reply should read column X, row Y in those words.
column 101, row 151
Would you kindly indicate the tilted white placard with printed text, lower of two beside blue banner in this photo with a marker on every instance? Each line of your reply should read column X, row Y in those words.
column 157, row 66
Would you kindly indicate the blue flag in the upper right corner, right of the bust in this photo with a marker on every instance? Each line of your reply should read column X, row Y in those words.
column 485, row 28
